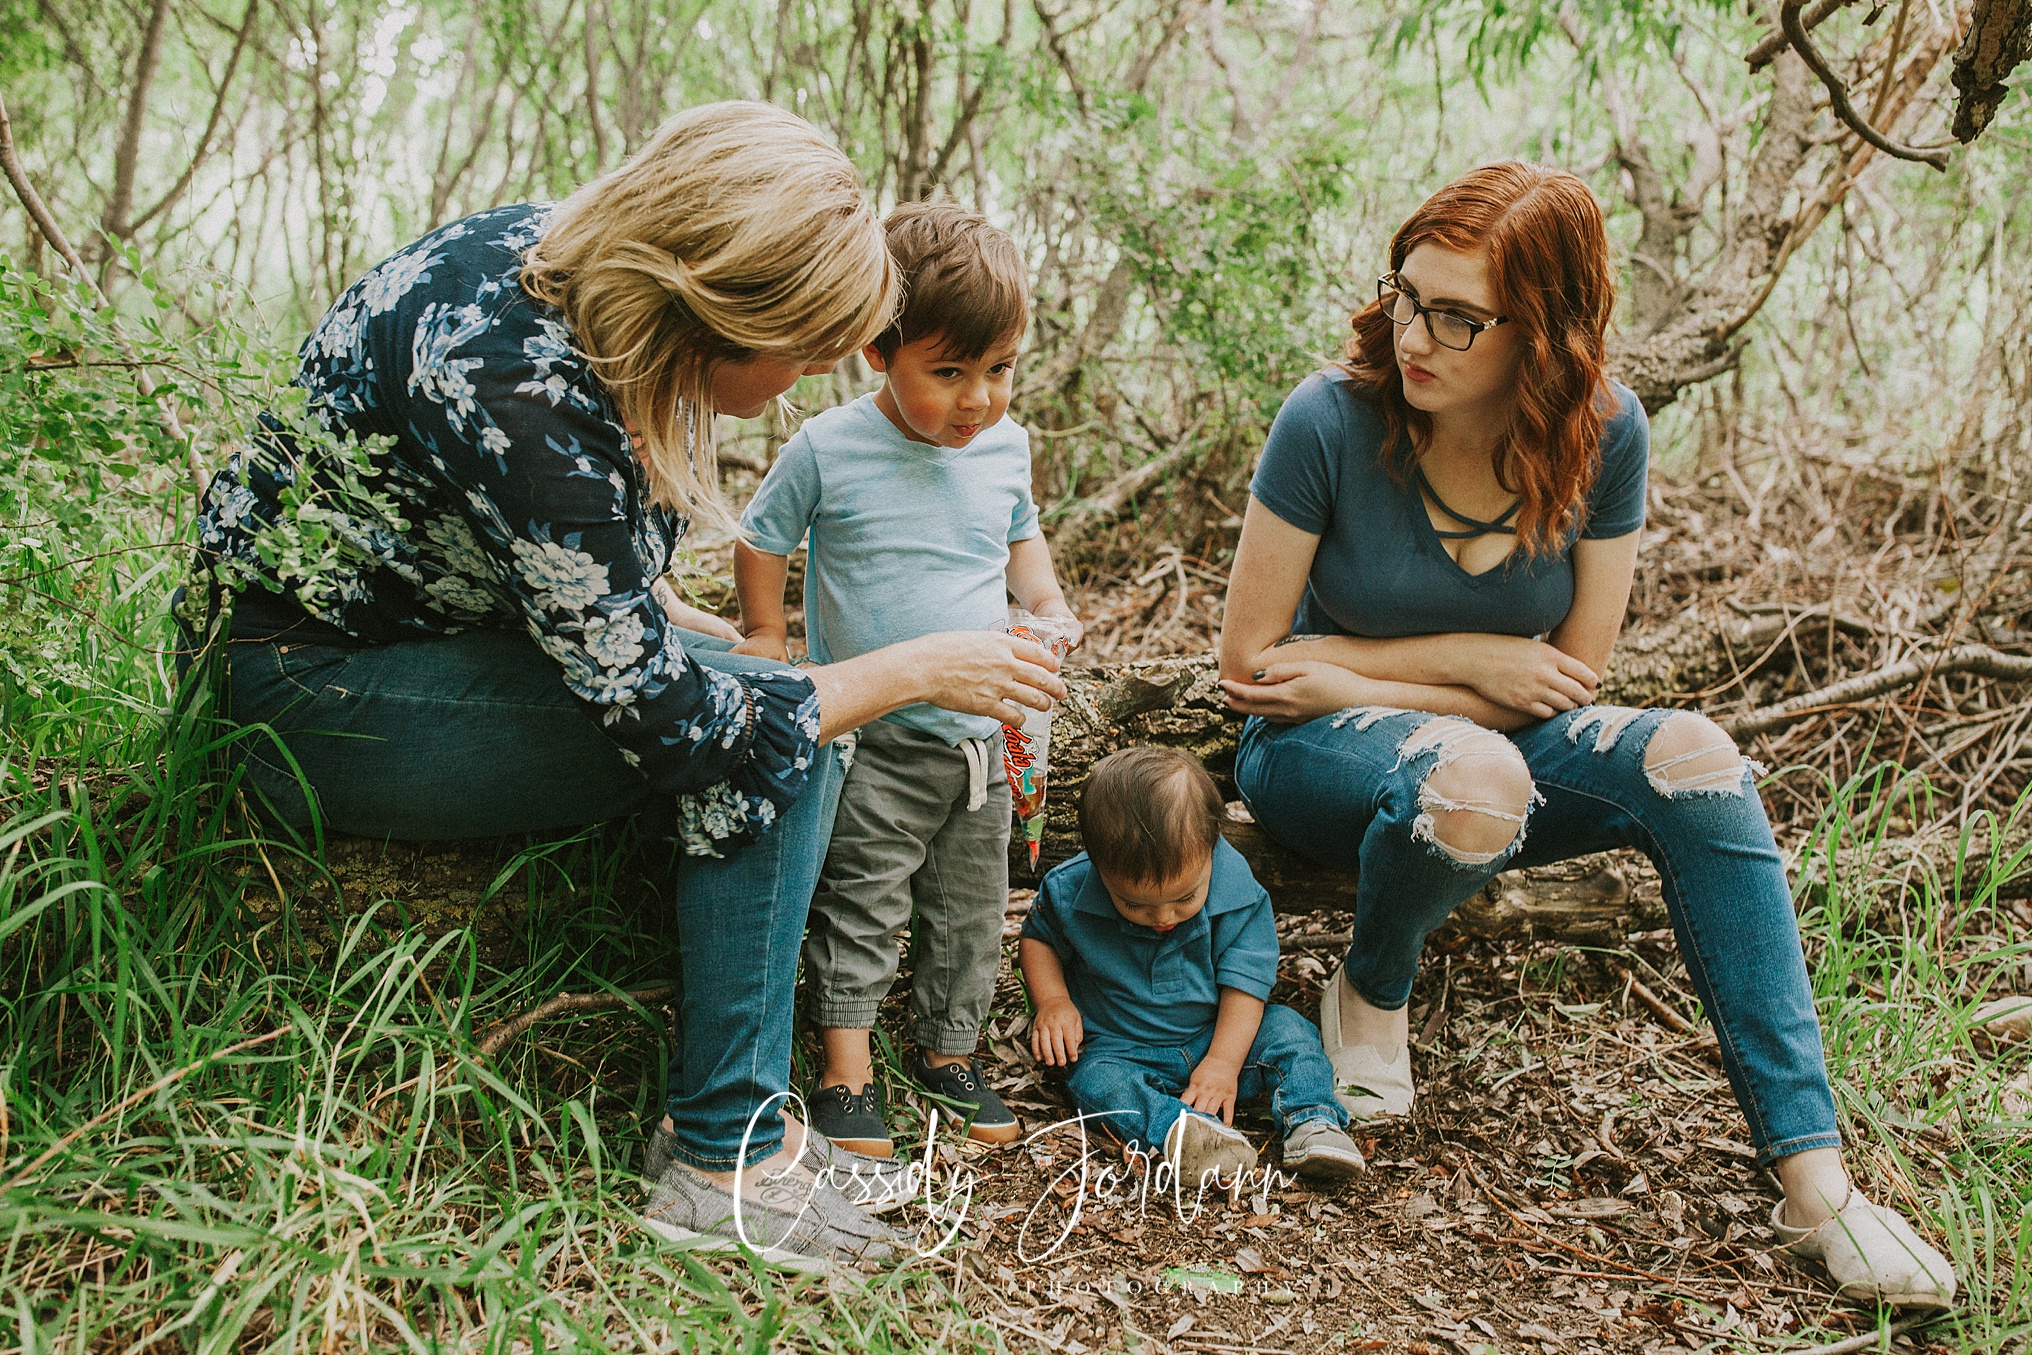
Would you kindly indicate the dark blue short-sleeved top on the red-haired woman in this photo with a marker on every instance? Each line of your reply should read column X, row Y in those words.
column 1383, row 572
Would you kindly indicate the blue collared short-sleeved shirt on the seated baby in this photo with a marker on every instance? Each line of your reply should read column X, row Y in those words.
column 1137, row 984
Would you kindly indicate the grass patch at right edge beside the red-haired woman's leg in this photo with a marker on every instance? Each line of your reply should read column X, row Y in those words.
column 1940, row 1120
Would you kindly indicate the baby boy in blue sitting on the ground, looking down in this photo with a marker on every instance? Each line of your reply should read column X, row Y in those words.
column 1151, row 958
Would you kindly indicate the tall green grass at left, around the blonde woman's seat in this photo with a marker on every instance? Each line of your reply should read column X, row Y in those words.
column 239, row 1126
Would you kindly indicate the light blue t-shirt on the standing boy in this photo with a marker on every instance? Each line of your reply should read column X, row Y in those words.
column 905, row 539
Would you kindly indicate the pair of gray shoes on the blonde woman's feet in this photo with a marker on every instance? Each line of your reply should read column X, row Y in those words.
column 796, row 1222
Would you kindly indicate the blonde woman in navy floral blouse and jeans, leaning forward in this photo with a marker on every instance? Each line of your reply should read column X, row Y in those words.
column 477, row 639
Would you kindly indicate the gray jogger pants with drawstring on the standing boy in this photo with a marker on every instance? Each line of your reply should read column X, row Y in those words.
column 905, row 842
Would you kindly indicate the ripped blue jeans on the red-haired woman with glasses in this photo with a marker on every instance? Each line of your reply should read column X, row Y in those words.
column 1432, row 808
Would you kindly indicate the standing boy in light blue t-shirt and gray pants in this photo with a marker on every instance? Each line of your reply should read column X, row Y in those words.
column 917, row 501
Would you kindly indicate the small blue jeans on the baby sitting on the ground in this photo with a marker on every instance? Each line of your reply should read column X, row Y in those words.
column 1135, row 1088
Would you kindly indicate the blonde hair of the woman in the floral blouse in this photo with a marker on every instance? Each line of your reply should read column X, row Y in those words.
column 739, row 231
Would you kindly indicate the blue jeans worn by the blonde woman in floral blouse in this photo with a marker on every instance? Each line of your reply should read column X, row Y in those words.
column 477, row 736
